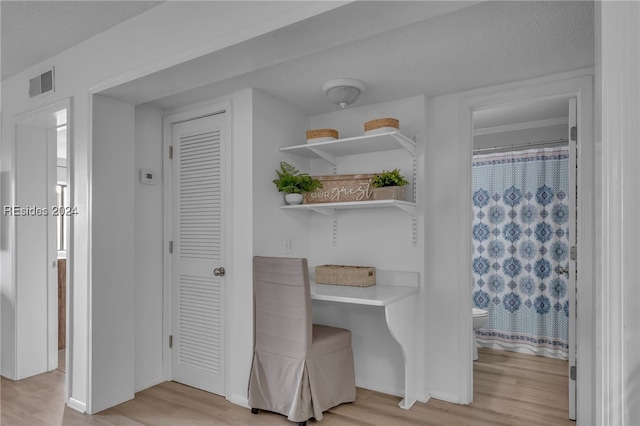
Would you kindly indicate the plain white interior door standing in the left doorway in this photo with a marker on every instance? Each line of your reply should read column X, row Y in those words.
column 36, row 256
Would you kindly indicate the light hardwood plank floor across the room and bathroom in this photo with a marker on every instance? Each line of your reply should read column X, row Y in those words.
column 509, row 389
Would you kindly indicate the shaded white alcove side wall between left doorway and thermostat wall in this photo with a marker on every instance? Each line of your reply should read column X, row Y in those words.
column 113, row 254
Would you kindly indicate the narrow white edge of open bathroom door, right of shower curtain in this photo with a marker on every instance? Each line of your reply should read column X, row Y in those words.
column 573, row 270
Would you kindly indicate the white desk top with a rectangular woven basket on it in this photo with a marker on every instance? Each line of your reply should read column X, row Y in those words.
column 375, row 295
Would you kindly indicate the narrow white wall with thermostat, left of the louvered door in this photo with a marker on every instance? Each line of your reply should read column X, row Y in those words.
column 148, row 249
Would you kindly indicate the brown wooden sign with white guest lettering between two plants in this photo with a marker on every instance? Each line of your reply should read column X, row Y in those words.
column 341, row 188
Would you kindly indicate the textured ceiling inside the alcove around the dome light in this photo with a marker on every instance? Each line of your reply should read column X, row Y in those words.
column 481, row 45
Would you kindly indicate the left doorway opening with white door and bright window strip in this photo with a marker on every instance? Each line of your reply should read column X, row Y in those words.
column 42, row 222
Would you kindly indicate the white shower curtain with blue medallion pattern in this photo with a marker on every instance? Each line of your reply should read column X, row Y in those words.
column 520, row 239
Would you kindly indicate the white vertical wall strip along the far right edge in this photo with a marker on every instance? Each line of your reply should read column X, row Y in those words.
column 618, row 318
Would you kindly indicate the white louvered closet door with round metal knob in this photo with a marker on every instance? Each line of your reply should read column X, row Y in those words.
column 198, row 225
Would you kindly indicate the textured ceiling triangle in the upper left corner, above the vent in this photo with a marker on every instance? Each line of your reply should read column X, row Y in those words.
column 33, row 31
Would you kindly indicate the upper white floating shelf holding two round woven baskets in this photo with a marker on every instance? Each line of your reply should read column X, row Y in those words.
column 331, row 150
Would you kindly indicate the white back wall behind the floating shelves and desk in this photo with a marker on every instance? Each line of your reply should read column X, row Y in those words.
column 377, row 237
